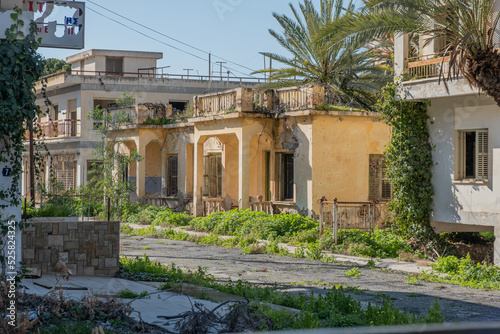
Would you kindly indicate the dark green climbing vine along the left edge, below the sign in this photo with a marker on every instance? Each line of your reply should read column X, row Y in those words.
column 20, row 67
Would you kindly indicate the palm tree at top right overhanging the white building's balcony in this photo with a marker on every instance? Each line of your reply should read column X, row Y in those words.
column 467, row 27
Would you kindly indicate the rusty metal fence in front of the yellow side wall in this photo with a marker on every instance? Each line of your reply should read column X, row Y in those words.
column 337, row 215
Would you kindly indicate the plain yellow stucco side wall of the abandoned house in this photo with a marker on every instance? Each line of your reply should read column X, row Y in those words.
column 341, row 149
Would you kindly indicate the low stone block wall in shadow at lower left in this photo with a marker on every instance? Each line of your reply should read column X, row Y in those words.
column 89, row 248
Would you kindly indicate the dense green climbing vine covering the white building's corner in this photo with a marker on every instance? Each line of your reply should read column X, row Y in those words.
column 409, row 164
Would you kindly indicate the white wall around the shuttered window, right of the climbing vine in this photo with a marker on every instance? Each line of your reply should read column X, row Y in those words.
column 476, row 203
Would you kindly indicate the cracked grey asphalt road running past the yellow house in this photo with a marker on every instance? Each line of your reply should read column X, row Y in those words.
column 303, row 275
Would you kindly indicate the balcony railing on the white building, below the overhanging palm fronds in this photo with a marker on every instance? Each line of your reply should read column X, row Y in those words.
column 427, row 66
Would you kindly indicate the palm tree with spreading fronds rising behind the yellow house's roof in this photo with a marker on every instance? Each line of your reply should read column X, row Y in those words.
column 348, row 70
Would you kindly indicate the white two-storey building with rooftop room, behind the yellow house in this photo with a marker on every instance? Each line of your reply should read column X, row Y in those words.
column 99, row 78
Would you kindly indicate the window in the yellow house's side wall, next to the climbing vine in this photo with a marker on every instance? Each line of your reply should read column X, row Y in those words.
column 380, row 188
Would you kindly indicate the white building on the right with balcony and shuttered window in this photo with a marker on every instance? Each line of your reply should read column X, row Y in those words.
column 463, row 128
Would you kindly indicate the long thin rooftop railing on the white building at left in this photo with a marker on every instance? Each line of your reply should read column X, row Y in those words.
column 155, row 75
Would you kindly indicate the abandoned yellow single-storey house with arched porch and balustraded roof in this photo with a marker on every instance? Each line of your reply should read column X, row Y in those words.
column 269, row 150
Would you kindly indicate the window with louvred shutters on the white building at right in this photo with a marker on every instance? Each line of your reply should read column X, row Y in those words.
column 473, row 155
